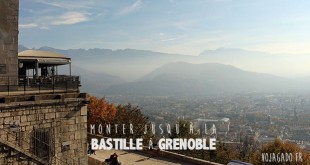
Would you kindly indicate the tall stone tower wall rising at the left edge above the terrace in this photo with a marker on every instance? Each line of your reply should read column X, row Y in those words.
column 8, row 39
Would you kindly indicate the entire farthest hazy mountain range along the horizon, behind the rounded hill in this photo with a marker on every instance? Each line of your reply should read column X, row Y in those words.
column 130, row 64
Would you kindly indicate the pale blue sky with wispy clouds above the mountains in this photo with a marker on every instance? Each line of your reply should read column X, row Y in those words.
column 170, row 26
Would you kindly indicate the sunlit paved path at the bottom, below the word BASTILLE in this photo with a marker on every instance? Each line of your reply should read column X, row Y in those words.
column 135, row 158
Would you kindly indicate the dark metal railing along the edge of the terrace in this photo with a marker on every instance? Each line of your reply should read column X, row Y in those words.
column 27, row 84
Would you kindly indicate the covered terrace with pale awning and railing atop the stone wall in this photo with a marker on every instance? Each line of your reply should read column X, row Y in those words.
column 38, row 73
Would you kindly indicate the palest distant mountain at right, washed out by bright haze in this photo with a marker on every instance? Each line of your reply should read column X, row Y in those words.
column 281, row 64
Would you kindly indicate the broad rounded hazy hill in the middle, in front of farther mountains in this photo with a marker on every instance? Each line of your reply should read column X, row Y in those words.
column 188, row 80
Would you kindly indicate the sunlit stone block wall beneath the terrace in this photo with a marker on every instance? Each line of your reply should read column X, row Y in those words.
column 63, row 117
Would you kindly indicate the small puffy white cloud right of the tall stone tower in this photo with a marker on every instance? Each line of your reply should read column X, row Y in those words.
column 70, row 18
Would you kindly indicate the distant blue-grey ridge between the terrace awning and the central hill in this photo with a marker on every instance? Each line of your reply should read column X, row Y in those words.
column 128, row 64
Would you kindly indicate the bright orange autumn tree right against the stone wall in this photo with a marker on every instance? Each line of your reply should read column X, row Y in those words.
column 100, row 111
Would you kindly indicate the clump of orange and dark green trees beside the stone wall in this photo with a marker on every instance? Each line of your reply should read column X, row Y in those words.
column 102, row 112
